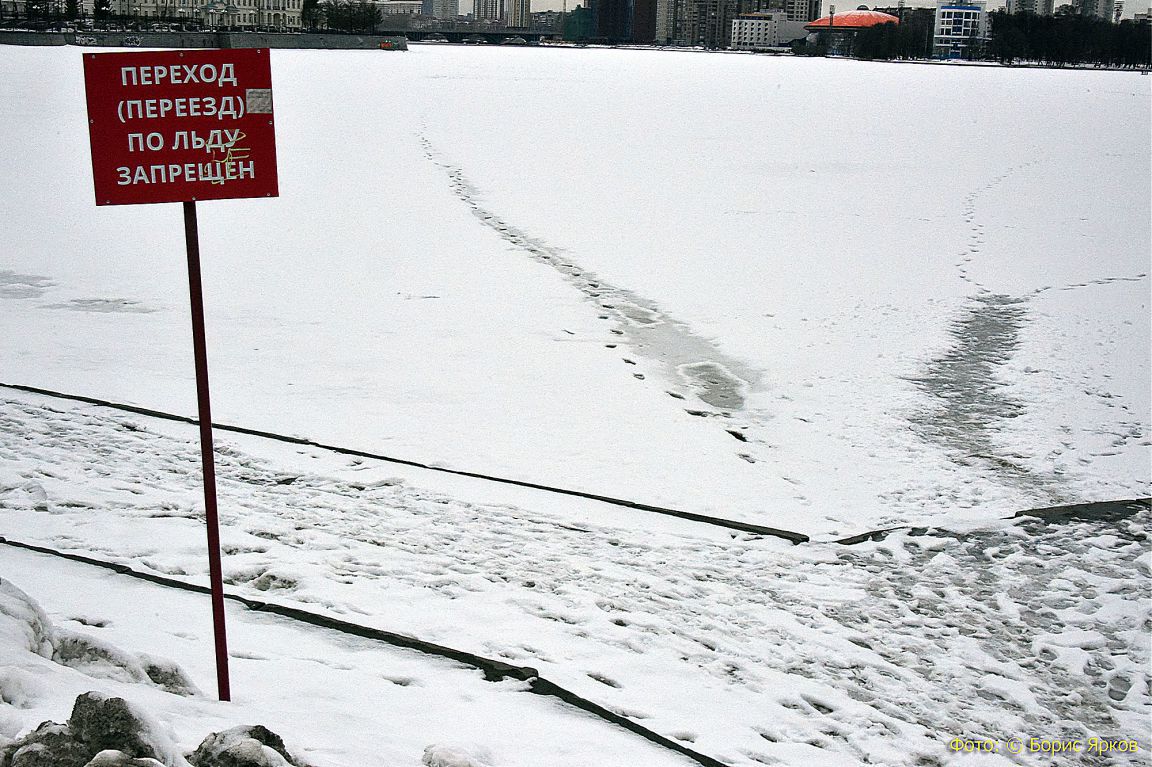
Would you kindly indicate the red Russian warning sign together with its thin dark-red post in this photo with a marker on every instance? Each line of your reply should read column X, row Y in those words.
column 181, row 127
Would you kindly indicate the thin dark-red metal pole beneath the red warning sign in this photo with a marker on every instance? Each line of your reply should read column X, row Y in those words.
column 192, row 237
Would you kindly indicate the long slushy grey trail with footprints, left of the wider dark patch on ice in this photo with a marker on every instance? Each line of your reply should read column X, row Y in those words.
column 694, row 366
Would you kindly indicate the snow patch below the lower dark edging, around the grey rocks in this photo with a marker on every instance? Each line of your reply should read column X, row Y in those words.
column 339, row 702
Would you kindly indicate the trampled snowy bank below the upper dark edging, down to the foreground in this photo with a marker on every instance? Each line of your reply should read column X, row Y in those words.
column 748, row 650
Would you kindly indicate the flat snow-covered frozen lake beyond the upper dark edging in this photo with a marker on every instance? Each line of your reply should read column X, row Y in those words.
column 734, row 285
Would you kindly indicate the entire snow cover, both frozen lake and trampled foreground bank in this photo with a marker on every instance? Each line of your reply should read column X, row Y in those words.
column 823, row 297
